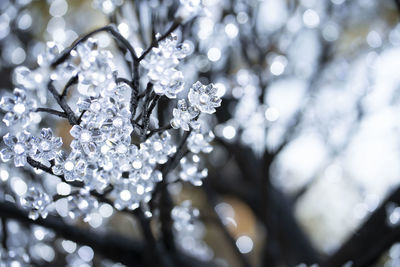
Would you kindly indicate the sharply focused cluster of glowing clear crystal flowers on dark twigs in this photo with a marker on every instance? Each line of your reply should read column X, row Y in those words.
column 112, row 154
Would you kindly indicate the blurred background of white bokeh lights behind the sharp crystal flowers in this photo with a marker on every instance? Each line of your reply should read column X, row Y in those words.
column 307, row 140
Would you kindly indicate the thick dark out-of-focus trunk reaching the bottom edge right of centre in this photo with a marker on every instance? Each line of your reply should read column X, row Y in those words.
column 286, row 242
